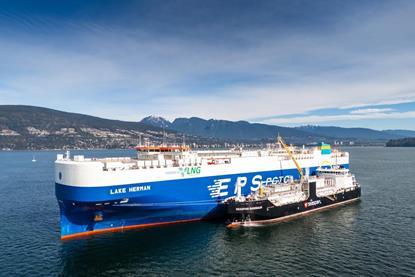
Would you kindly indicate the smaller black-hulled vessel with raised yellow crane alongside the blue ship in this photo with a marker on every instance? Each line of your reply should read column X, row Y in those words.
column 328, row 188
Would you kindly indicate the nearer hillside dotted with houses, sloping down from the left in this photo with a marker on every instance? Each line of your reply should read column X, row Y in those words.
column 28, row 127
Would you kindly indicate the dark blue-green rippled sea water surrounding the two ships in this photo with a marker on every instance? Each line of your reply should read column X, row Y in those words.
column 375, row 237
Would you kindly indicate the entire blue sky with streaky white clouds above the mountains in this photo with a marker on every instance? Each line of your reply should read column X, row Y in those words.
column 288, row 63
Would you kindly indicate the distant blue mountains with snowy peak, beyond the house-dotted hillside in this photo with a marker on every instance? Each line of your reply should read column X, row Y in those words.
column 243, row 130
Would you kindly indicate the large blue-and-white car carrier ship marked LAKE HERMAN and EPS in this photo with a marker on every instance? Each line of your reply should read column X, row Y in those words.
column 171, row 184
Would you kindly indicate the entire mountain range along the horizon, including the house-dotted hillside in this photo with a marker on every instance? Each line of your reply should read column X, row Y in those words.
column 29, row 127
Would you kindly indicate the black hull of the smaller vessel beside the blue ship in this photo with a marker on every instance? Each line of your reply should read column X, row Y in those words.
column 251, row 213
